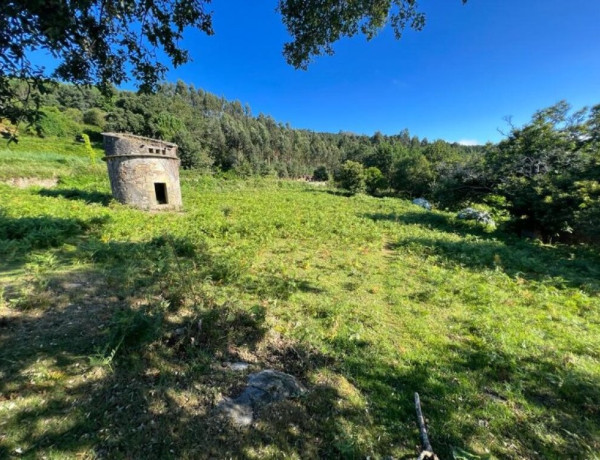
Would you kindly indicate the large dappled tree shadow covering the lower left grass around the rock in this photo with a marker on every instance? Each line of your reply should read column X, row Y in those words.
column 109, row 365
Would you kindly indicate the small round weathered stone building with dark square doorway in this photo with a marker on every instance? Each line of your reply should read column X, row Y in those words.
column 143, row 172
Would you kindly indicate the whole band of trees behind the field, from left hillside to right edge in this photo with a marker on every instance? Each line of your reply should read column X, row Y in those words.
column 543, row 178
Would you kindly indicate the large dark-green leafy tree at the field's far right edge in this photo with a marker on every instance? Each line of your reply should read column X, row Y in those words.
column 547, row 172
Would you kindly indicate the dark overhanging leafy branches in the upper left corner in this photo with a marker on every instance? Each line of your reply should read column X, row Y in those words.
column 94, row 42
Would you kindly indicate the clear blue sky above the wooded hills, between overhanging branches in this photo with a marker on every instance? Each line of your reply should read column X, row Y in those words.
column 456, row 80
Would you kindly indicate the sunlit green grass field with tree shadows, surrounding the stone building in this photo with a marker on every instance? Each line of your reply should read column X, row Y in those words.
column 365, row 300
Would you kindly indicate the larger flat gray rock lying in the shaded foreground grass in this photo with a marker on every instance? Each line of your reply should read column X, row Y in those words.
column 263, row 388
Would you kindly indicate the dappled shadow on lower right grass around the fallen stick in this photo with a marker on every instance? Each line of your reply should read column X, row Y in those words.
column 543, row 405
